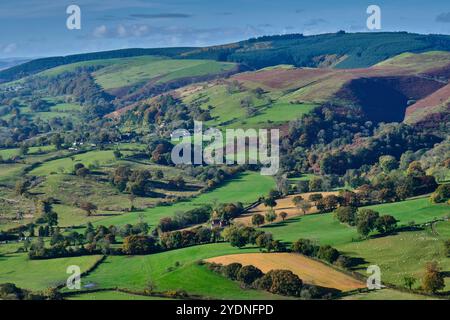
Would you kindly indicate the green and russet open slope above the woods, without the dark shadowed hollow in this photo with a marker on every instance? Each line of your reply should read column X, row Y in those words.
column 292, row 92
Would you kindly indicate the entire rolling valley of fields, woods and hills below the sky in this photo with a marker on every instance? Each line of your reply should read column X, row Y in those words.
column 89, row 178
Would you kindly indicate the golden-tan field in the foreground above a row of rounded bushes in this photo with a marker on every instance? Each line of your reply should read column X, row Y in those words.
column 309, row 270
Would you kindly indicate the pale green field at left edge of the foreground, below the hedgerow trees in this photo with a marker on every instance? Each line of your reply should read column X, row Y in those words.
column 39, row 274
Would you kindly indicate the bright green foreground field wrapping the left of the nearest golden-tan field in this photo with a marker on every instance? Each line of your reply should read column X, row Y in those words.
column 173, row 270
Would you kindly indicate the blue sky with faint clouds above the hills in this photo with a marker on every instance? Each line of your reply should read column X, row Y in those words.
column 37, row 28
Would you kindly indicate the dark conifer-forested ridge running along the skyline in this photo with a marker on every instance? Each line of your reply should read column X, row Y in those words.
column 341, row 50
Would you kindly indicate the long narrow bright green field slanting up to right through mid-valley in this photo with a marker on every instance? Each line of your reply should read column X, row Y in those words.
column 246, row 188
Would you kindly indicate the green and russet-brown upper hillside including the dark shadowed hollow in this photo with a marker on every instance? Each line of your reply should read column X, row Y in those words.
column 274, row 95
